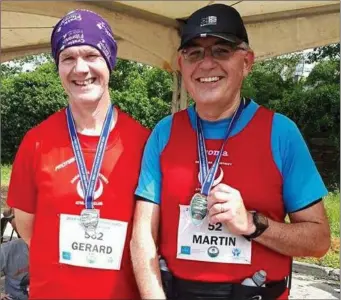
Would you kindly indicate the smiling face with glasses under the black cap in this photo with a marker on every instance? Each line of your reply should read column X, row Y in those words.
column 214, row 80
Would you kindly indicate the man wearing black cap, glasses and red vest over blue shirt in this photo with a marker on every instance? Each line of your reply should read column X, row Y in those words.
column 218, row 179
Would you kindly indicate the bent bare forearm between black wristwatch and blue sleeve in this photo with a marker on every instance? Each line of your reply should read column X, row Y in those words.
column 308, row 234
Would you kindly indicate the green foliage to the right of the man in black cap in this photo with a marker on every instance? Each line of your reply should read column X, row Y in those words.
column 313, row 103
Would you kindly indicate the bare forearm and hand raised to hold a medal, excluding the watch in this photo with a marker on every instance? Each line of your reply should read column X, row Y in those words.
column 308, row 233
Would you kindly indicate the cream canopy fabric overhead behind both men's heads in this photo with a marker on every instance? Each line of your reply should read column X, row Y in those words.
column 147, row 31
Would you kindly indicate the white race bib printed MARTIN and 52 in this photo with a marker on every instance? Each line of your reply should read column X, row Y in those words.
column 208, row 242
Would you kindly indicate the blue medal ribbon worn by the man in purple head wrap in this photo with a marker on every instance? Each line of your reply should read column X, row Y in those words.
column 88, row 186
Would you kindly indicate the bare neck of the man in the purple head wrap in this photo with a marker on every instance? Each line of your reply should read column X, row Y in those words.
column 89, row 119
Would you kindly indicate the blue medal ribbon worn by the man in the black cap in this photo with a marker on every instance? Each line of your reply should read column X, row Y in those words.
column 207, row 174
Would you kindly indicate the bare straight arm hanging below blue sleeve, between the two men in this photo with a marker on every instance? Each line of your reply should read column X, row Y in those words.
column 144, row 250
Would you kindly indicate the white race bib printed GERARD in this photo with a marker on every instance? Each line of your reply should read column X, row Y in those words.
column 102, row 250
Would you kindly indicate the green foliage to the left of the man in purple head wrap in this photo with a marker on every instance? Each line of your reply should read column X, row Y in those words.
column 27, row 99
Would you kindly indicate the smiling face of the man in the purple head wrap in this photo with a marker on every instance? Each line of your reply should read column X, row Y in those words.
column 84, row 74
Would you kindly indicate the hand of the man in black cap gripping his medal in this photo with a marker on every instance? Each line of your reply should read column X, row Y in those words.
column 226, row 205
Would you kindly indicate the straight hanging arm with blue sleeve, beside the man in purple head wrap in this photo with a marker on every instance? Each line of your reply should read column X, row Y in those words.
column 146, row 223
